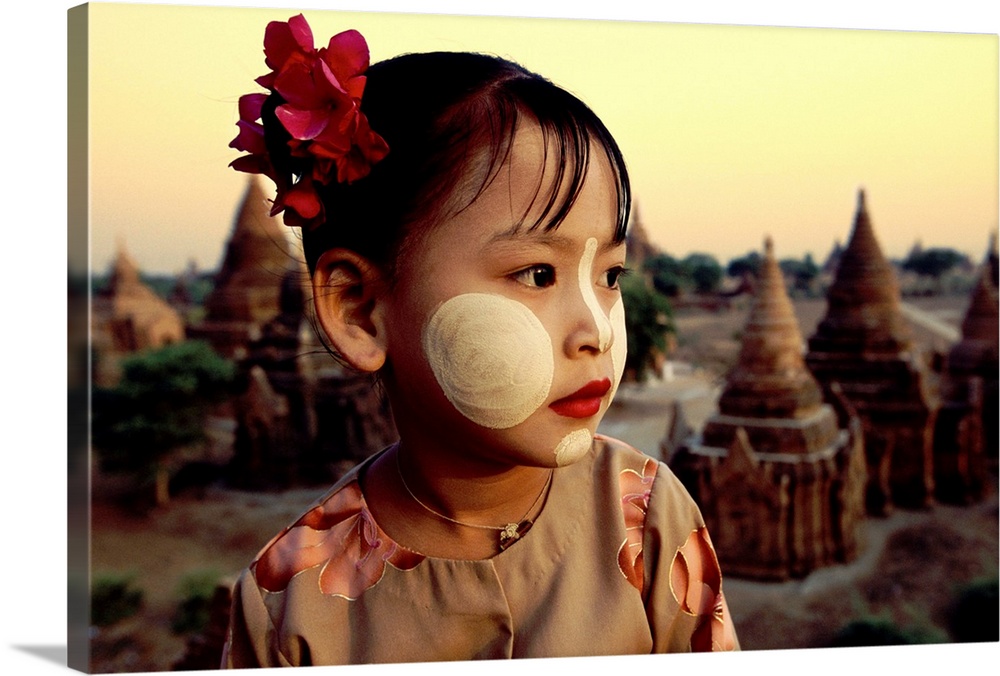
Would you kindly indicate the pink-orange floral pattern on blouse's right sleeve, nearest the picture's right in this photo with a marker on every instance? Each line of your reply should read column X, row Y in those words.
column 696, row 583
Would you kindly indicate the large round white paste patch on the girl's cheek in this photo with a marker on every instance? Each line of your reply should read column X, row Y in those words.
column 492, row 357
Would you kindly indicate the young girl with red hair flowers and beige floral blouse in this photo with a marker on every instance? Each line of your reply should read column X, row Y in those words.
column 464, row 224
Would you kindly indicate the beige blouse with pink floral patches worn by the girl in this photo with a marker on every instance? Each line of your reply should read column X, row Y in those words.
column 618, row 562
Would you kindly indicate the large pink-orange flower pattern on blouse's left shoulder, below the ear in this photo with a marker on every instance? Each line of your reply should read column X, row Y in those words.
column 339, row 535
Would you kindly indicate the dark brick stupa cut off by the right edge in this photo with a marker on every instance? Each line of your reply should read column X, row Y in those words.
column 965, row 433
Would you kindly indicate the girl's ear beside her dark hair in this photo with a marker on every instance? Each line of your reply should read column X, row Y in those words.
column 346, row 292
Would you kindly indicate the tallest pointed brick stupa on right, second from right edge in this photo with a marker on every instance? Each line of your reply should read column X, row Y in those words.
column 864, row 345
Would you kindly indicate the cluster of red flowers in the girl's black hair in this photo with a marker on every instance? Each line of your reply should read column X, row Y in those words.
column 321, row 112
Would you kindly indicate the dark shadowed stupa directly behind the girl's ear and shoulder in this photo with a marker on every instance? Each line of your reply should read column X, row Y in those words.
column 303, row 416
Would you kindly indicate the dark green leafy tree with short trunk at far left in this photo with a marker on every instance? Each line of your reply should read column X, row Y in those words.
column 158, row 406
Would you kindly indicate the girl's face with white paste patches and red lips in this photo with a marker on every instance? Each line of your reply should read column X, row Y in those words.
column 507, row 342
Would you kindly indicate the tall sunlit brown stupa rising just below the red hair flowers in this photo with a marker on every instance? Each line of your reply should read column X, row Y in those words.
column 248, row 285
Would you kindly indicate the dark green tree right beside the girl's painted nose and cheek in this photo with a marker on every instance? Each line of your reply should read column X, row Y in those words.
column 648, row 322
